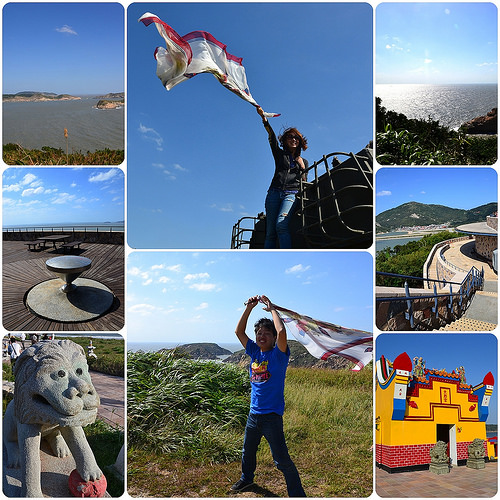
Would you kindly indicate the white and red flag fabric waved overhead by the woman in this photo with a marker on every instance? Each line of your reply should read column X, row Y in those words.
column 197, row 52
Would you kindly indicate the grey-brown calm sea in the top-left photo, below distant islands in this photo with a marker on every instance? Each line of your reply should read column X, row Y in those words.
column 37, row 124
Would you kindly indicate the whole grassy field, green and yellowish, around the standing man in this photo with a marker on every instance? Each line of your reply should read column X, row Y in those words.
column 328, row 425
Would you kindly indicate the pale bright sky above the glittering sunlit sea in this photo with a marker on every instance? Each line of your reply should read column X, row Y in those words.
column 436, row 43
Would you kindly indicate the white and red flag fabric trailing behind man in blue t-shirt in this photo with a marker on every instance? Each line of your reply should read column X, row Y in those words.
column 323, row 340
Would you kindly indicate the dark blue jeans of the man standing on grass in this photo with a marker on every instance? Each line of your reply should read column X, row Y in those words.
column 270, row 426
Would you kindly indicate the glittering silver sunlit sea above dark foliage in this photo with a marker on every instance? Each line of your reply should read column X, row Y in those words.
column 452, row 105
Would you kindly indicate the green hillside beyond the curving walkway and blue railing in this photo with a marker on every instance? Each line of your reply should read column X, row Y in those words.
column 420, row 214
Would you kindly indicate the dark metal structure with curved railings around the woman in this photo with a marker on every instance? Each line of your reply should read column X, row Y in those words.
column 335, row 207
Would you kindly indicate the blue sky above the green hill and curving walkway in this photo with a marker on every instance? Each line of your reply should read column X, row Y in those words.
column 463, row 188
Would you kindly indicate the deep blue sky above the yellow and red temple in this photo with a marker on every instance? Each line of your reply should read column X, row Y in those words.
column 476, row 352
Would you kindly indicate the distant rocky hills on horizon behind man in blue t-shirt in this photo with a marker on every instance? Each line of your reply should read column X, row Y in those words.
column 299, row 356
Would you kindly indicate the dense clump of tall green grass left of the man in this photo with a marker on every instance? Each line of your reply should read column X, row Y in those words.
column 184, row 407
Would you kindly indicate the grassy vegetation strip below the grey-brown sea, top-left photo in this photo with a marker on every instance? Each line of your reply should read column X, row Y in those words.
column 14, row 154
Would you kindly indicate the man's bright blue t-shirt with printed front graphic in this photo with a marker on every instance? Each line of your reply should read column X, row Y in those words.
column 267, row 377
